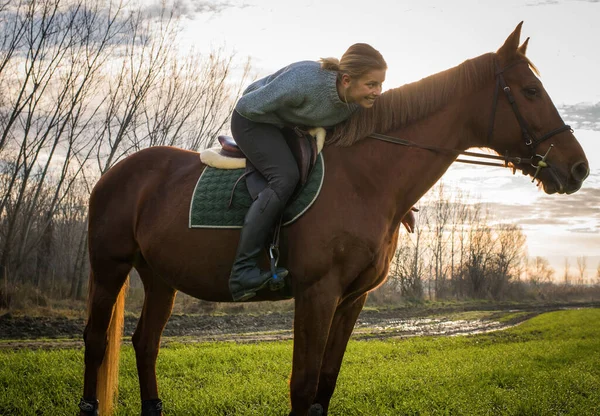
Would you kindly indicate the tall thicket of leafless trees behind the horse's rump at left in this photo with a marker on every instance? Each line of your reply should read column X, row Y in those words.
column 83, row 80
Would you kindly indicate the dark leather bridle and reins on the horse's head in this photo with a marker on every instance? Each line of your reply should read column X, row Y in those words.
column 536, row 160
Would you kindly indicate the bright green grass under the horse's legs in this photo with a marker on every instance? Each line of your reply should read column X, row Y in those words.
column 549, row 365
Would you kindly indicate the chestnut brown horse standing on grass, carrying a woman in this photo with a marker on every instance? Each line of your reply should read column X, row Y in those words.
column 341, row 248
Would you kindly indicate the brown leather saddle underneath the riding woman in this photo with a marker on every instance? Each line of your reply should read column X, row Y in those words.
column 302, row 145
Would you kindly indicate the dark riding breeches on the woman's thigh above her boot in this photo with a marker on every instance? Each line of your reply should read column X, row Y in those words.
column 266, row 148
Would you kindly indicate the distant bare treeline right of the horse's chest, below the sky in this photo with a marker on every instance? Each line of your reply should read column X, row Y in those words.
column 460, row 251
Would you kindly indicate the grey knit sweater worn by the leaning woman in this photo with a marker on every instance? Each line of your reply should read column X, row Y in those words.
column 300, row 94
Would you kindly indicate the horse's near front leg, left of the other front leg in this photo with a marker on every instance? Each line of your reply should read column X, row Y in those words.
column 315, row 307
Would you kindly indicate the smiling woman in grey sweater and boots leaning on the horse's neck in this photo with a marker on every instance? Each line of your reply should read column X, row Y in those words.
column 308, row 94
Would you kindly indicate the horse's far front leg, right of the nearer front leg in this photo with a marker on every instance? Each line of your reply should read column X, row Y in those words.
column 343, row 323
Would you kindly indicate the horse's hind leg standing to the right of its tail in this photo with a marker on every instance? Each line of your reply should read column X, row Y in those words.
column 158, row 303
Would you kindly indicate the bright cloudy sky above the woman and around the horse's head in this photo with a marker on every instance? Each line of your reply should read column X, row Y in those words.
column 422, row 37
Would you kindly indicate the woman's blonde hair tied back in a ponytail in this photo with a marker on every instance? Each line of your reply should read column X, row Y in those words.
column 359, row 59
